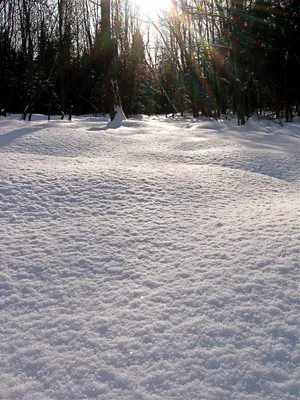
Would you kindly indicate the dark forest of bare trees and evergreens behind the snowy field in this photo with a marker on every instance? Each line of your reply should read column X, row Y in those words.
column 215, row 58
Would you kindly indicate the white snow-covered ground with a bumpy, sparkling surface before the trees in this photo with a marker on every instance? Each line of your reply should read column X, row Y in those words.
column 157, row 261
